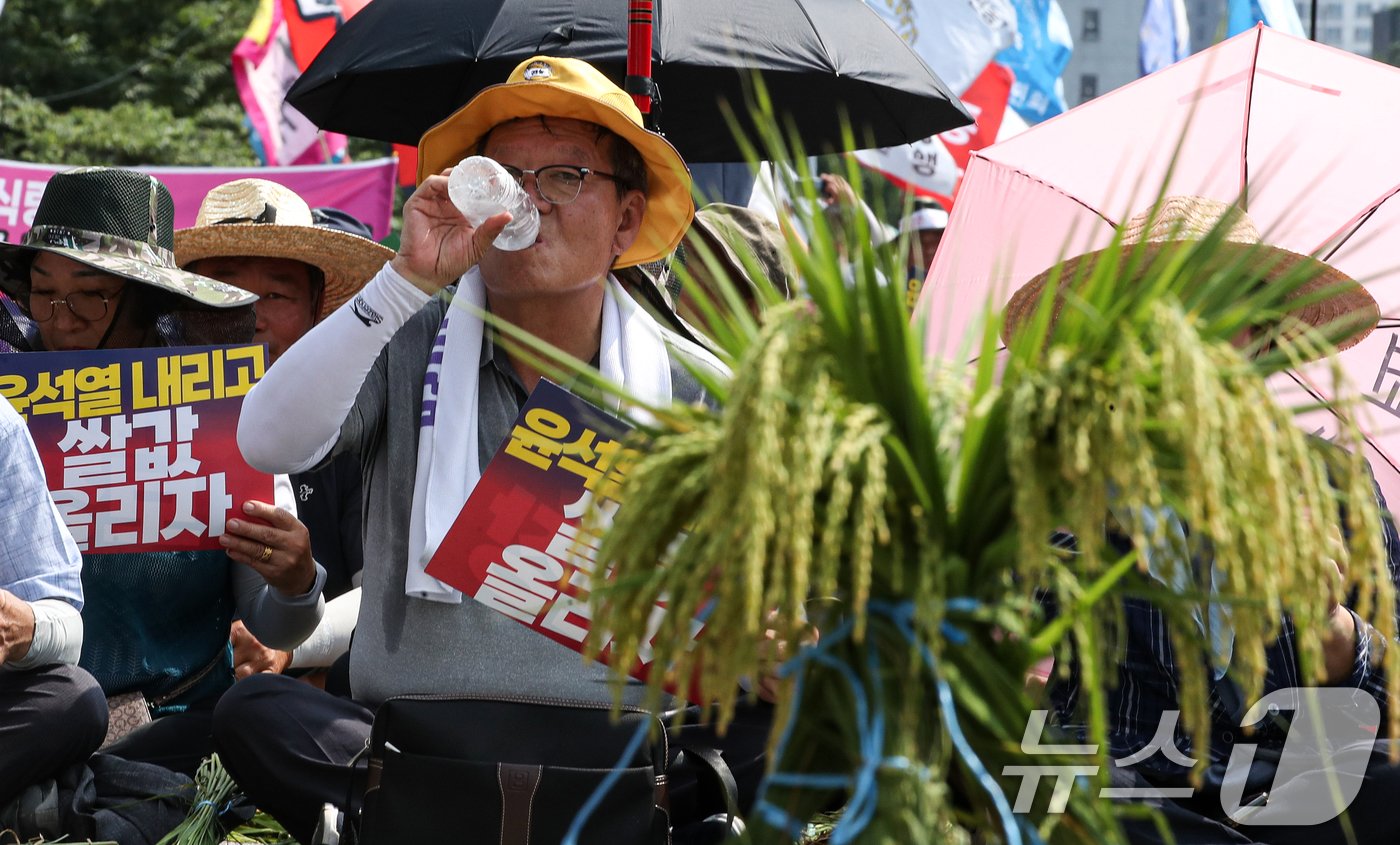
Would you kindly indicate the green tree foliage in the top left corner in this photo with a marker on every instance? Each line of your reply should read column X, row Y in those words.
column 122, row 82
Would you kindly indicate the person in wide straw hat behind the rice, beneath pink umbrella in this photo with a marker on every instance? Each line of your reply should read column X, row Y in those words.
column 1147, row 693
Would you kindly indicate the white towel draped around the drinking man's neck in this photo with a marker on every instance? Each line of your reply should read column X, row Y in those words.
column 632, row 353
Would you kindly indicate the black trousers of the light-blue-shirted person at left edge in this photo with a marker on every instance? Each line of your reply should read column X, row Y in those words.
column 51, row 718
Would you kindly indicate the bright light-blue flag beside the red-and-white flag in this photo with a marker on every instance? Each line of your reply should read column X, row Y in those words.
column 1038, row 58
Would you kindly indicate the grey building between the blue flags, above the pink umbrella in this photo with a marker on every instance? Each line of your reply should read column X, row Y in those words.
column 1105, row 47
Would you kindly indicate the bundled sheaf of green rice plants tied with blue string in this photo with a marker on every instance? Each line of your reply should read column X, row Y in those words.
column 904, row 510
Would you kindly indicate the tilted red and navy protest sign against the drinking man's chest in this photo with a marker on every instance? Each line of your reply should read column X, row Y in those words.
column 521, row 545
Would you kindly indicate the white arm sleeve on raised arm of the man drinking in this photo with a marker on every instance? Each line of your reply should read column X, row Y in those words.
column 316, row 383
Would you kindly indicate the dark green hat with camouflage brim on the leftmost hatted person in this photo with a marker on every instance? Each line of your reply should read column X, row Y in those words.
column 118, row 222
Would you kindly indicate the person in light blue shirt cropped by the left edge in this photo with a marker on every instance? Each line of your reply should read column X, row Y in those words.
column 52, row 714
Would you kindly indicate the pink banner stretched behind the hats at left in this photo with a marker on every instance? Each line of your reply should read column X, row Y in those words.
column 363, row 190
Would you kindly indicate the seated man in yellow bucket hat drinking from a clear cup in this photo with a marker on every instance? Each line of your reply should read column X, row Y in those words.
column 423, row 395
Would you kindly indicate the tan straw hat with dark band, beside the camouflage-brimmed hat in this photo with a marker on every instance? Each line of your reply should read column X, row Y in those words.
column 261, row 219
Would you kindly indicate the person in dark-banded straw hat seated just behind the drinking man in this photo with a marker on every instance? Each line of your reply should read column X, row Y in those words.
column 302, row 272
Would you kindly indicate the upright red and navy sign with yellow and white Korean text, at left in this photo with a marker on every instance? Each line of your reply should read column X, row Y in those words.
column 139, row 446
